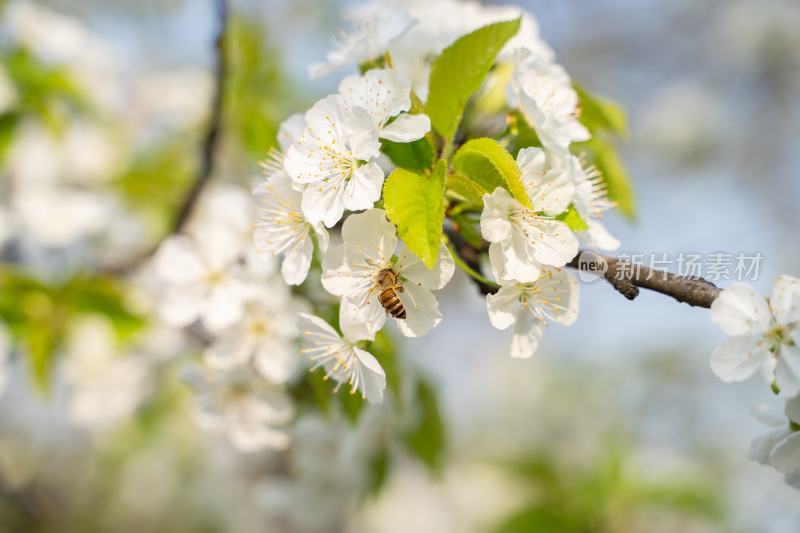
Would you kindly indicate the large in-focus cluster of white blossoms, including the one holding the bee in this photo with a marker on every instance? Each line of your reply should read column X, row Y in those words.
column 329, row 166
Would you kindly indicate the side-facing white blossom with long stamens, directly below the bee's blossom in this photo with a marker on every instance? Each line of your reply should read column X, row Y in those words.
column 342, row 359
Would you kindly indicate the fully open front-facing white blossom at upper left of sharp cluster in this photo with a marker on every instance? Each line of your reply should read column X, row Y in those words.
column 327, row 162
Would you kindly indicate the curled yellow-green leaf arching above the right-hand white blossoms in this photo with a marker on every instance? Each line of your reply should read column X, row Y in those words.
column 490, row 165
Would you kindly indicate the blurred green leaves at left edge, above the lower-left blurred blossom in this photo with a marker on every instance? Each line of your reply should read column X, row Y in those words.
column 39, row 315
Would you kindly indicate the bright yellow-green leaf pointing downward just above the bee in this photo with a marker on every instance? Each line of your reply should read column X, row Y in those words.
column 414, row 203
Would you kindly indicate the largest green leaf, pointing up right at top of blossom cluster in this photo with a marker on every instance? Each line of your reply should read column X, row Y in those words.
column 460, row 70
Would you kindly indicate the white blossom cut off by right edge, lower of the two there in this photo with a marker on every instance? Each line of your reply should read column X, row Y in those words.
column 780, row 447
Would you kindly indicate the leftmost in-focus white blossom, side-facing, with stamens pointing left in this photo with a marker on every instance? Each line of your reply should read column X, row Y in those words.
column 281, row 228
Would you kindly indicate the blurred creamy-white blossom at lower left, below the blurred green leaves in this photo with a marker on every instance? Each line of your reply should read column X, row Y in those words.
column 105, row 386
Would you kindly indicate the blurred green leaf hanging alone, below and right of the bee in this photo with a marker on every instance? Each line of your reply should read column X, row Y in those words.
column 426, row 438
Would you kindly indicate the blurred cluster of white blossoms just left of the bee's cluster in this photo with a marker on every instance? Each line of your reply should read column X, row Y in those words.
column 212, row 277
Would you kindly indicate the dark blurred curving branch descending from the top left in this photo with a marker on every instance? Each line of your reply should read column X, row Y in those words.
column 208, row 147
